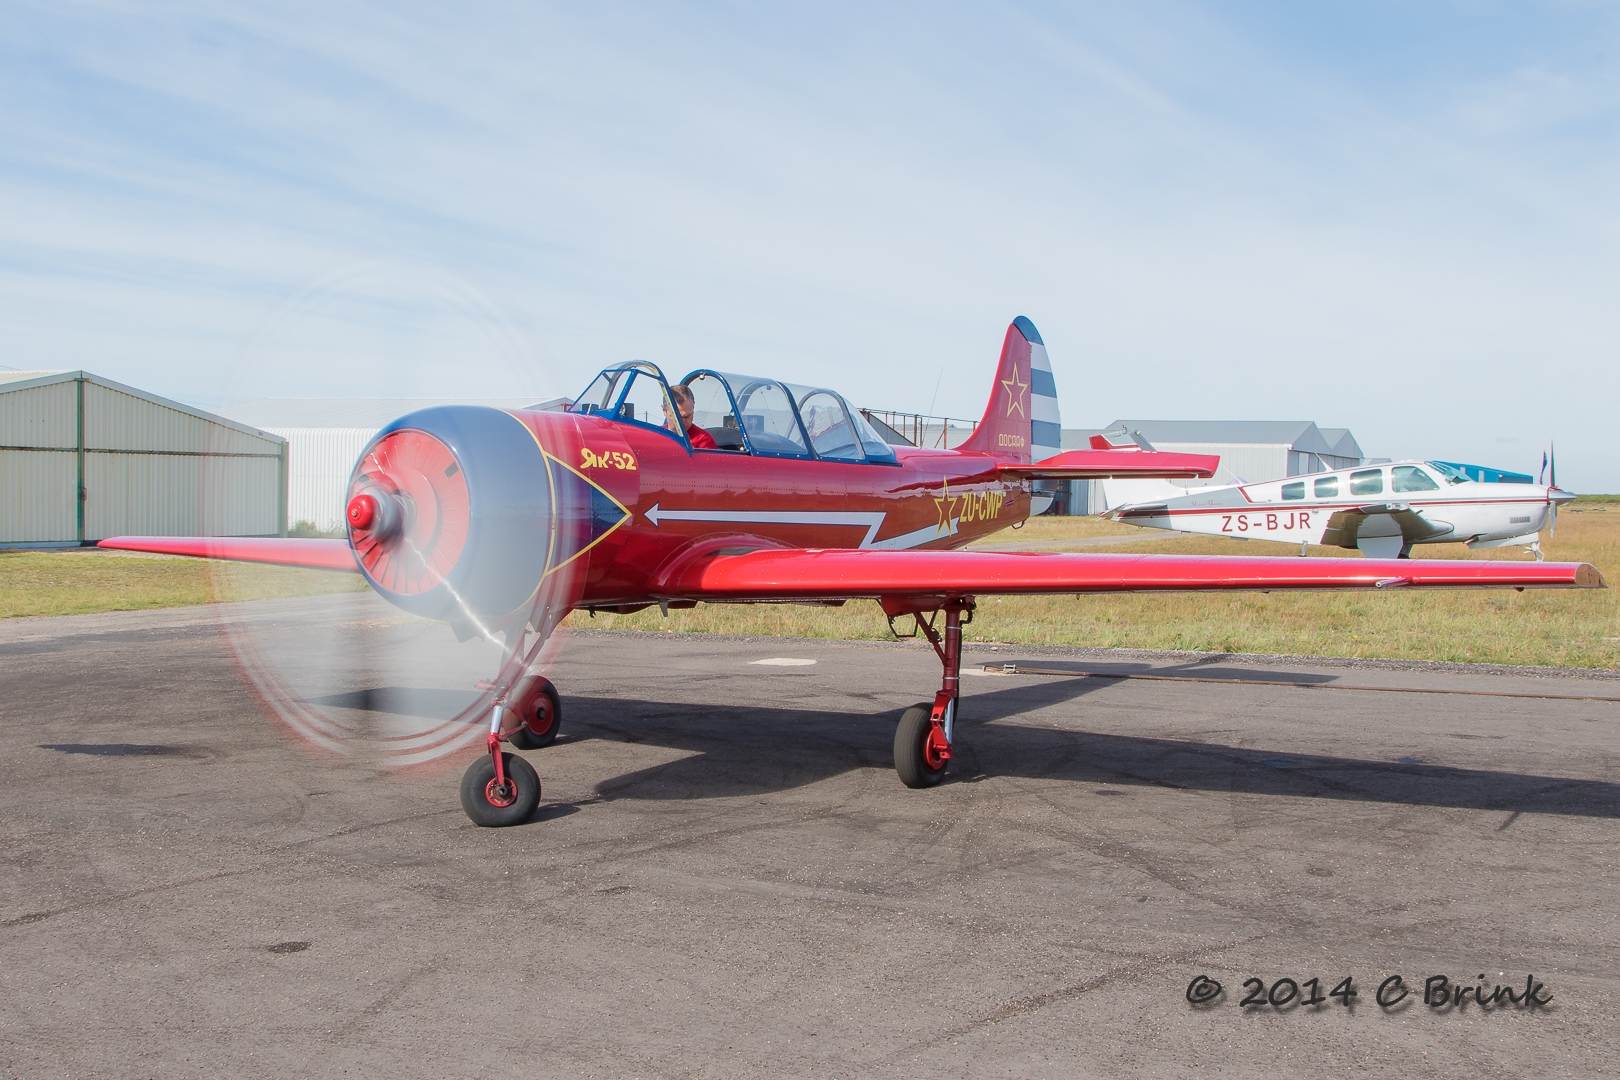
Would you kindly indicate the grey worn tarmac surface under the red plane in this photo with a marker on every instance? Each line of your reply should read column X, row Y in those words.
column 727, row 878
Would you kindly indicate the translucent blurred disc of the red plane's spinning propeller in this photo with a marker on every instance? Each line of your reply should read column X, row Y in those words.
column 341, row 668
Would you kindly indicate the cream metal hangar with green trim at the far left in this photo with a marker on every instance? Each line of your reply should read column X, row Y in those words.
column 83, row 459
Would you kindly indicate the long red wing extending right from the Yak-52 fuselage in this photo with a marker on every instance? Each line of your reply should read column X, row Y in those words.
column 799, row 574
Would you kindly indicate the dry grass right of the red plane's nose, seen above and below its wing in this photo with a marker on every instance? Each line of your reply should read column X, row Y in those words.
column 1554, row 627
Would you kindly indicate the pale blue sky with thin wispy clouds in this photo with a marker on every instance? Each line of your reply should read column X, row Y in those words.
column 1402, row 219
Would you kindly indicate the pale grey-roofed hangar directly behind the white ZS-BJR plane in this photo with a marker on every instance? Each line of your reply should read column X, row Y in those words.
column 1251, row 451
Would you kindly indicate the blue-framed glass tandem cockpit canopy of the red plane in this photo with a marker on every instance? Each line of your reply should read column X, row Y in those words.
column 743, row 414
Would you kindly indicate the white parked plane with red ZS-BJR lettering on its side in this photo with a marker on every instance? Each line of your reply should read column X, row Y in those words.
column 1381, row 509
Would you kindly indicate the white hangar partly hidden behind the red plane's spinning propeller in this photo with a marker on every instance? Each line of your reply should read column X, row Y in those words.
column 325, row 440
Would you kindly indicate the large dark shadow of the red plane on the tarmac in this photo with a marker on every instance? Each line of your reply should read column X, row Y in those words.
column 743, row 749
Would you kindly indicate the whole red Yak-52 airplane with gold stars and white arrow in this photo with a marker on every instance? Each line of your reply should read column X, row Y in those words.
column 762, row 491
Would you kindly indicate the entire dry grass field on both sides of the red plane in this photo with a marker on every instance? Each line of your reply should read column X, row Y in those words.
column 1564, row 629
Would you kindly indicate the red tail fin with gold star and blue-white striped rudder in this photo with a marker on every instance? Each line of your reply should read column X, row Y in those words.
column 1021, row 423
